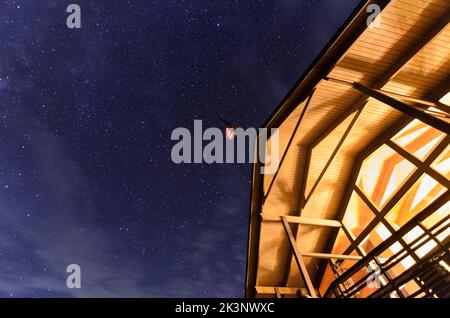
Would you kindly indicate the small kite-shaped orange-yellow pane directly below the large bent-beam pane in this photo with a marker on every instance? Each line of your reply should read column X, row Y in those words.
column 357, row 216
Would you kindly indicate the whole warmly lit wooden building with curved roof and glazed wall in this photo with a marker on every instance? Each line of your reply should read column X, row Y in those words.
column 360, row 204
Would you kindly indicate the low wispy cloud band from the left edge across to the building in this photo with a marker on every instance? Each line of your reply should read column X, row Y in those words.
column 36, row 249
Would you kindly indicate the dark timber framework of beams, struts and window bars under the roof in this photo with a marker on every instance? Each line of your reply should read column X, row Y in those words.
column 433, row 113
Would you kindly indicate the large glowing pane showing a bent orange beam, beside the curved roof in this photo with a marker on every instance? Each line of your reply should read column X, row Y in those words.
column 382, row 174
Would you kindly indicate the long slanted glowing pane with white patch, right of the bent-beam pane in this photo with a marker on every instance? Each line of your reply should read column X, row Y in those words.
column 418, row 197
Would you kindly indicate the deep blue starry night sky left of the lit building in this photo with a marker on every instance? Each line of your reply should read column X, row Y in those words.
column 86, row 117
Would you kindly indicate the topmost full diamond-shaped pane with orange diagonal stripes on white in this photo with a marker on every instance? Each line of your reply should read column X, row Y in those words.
column 418, row 138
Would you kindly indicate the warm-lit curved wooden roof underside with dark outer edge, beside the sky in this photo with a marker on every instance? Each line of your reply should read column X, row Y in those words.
column 406, row 54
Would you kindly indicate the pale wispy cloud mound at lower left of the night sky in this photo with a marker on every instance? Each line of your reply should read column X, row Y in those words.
column 38, row 242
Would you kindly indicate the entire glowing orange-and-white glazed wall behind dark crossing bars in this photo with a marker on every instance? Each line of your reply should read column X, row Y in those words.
column 382, row 174
